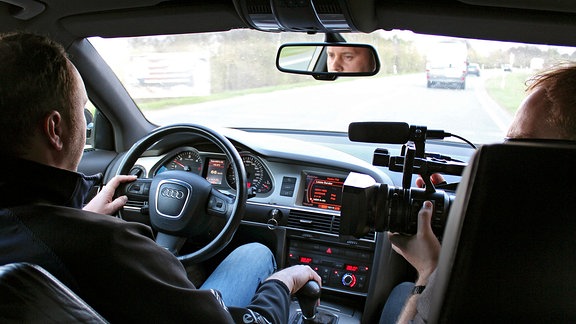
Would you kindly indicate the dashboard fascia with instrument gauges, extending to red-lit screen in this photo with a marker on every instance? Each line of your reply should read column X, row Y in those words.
column 272, row 181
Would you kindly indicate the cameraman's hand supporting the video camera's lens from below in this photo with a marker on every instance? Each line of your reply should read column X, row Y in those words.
column 421, row 250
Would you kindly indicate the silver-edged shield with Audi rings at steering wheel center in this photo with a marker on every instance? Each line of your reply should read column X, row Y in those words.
column 171, row 199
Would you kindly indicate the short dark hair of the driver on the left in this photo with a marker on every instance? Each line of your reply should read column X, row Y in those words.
column 35, row 79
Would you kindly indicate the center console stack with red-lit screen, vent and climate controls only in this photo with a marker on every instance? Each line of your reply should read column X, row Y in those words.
column 313, row 237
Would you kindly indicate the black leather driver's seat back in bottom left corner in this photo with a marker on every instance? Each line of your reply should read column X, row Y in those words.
column 29, row 294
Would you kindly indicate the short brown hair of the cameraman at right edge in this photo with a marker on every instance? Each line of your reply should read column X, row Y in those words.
column 559, row 83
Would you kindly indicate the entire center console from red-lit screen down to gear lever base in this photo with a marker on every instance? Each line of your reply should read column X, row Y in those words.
column 307, row 215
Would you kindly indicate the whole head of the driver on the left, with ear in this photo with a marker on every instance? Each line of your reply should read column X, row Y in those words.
column 42, row 99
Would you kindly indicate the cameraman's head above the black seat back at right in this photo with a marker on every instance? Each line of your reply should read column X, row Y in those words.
column 549, row 109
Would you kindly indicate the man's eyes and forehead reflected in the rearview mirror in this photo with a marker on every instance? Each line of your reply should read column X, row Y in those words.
column 350, row 59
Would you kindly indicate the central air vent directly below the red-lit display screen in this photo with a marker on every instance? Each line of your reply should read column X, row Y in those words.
column 323, row 223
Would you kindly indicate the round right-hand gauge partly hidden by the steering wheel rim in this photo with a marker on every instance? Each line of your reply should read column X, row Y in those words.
column 256, row 174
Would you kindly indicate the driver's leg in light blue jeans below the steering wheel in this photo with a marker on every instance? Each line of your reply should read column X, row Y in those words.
column 240, row 274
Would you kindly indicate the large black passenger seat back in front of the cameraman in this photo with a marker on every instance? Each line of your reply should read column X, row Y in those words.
column 509, row 248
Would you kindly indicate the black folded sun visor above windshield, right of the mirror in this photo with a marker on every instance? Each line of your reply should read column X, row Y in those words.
column 490, row 23
